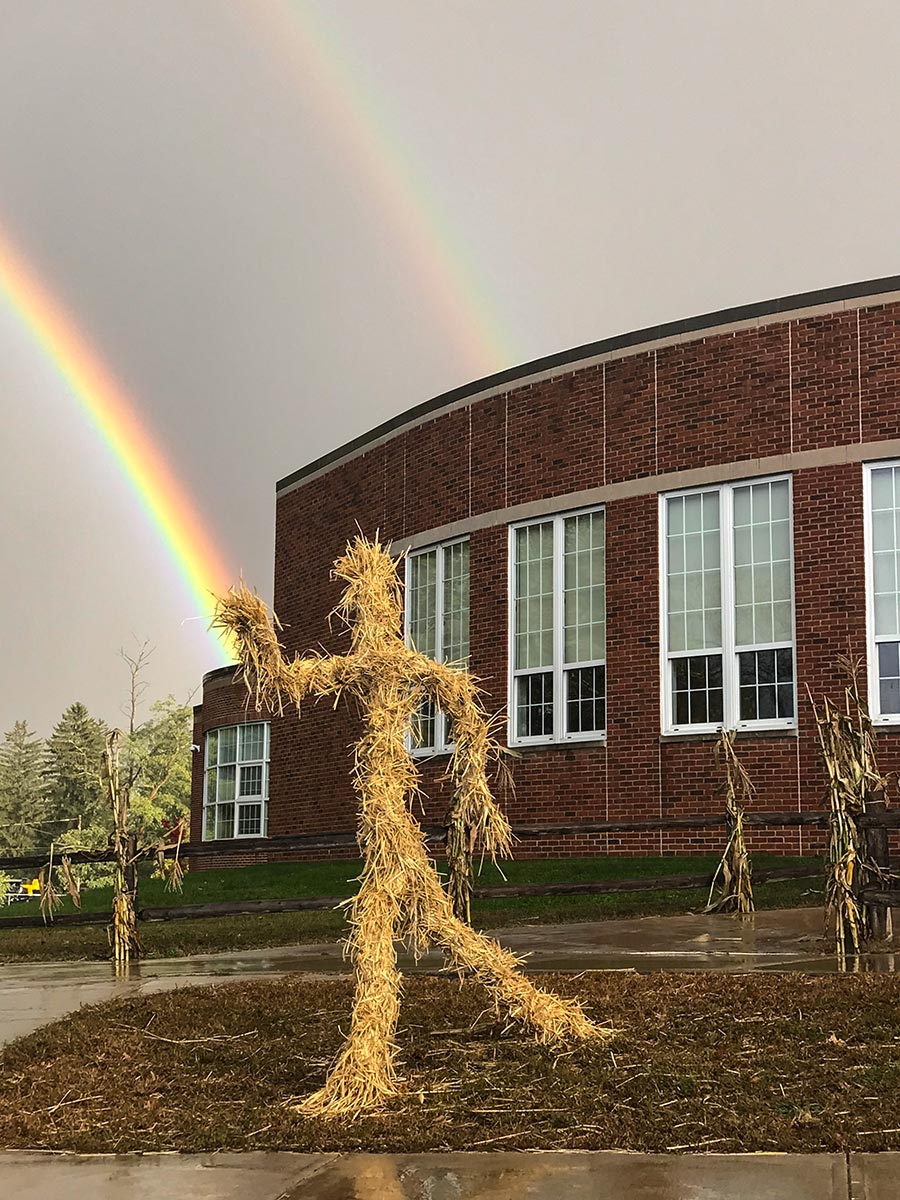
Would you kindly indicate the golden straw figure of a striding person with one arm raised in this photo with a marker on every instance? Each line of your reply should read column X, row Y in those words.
column 400, row 893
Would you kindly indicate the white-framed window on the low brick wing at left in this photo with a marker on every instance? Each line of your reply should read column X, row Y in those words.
column 236, row 790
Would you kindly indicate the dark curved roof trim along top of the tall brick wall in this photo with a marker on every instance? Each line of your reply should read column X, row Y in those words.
column 592, row 350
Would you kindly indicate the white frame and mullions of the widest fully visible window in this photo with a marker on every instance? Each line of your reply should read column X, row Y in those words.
column 731, row 686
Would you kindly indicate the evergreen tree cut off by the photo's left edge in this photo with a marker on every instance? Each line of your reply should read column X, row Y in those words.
column 23, row 791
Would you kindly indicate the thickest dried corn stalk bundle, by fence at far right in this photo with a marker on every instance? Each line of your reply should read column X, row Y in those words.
column 847, row 743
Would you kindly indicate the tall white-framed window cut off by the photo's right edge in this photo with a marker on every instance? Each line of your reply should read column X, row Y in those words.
column 883, row 537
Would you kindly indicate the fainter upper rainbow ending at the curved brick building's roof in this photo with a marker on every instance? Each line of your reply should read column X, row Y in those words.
column 358, row 118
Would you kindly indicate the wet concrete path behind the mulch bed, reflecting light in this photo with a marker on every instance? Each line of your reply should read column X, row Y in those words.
column 32, row 994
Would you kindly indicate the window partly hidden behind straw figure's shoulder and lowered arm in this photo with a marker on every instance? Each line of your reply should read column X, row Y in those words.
column 437, row 616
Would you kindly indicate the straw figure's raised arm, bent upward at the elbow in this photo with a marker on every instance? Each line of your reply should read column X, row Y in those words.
column 253, row 637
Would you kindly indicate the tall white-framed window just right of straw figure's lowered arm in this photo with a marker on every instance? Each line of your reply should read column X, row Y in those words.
column 559, row 629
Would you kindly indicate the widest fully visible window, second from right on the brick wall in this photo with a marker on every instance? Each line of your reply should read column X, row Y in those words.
column 728, row 604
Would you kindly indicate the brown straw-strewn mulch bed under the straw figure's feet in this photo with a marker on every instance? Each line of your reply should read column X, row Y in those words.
column 763, row 1063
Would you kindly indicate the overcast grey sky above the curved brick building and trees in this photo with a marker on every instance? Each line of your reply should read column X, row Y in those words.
column 277, row 248
